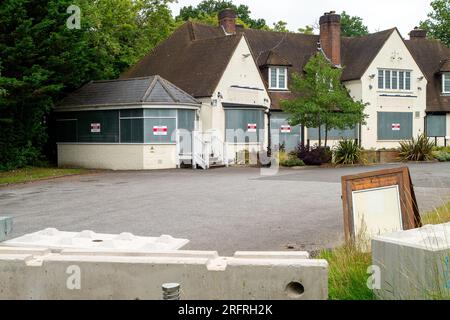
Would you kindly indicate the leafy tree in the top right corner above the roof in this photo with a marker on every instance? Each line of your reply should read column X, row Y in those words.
column 438, row 22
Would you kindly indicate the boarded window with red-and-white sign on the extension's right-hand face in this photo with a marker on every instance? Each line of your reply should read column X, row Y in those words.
column 160, row 130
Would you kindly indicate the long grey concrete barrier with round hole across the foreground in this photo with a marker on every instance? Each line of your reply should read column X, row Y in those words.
column 139, row 275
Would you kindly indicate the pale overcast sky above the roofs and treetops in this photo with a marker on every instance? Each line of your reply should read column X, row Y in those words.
column 377, row 15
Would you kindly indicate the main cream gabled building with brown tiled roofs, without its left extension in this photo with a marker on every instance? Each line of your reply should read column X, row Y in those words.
column 239, row 77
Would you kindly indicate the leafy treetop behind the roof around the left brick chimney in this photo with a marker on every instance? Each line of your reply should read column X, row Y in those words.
column 207, row 10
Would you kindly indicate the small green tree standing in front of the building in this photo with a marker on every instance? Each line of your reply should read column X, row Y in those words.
column 321, row 99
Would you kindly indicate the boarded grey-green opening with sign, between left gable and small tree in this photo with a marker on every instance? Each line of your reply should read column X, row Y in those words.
column 289, row 140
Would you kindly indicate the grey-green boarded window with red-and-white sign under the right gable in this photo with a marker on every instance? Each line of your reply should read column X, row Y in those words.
column 389, row 122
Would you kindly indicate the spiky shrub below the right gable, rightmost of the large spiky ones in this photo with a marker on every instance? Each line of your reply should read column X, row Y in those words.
column 420, row 149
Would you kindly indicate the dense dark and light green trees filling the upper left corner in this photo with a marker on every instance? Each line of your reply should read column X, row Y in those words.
column 41, row 59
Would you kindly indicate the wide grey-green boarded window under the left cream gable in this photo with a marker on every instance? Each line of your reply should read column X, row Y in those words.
column 236, row 125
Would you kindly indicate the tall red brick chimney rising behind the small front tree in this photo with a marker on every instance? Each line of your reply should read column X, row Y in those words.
column 330, row 36
